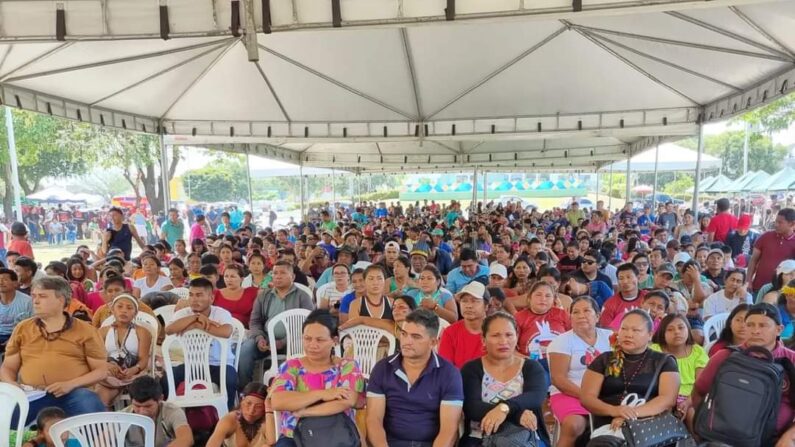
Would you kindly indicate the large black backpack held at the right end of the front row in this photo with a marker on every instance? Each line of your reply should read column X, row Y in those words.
column 742, row 404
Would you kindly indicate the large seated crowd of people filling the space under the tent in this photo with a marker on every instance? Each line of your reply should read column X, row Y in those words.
column 507, row 321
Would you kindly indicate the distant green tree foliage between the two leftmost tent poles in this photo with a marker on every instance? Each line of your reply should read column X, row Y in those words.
column 224, row 180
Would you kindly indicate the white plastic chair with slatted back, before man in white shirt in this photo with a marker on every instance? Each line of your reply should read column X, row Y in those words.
column 196, row 345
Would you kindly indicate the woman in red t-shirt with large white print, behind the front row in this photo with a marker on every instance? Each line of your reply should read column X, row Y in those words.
column 540, row 322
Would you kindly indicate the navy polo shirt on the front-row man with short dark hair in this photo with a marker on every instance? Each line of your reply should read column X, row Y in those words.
column 412, row 411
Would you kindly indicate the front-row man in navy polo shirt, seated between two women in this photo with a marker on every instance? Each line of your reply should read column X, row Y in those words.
column 415, row 397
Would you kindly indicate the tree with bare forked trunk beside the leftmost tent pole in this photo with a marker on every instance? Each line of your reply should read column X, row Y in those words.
column 138, row 155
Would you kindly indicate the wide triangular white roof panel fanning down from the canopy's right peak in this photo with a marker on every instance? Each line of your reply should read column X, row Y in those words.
column 550, row 80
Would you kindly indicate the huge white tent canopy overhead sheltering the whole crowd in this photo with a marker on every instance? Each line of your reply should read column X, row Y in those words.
column 506, row 83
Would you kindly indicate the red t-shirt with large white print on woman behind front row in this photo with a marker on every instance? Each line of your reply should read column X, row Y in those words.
column 536, row 331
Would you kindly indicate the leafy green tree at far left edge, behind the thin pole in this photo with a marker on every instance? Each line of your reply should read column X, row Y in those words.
column 46, row 147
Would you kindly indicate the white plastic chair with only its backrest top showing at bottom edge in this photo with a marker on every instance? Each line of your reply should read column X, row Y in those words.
column 102, row 429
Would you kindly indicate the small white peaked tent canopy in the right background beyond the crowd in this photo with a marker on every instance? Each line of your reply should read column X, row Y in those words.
column 671, row 158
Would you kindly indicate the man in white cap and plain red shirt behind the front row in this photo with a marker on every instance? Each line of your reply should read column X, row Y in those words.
column 462, row 341
